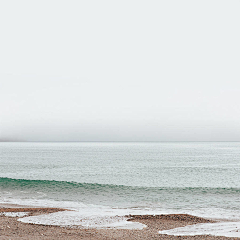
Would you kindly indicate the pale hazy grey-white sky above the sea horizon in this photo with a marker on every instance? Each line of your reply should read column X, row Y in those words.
column 120, row 70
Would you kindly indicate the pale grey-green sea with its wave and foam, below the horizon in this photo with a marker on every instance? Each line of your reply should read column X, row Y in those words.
column 103, row 181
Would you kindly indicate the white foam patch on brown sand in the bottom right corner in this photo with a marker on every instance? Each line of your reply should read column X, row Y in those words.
column 227, row 229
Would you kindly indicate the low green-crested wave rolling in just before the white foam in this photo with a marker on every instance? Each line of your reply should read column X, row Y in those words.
column 120, row 195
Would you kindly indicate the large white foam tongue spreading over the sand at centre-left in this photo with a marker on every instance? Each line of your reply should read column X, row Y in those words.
column 86, row 215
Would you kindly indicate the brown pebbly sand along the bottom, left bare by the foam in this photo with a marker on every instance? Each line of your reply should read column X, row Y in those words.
column 10, row 228
